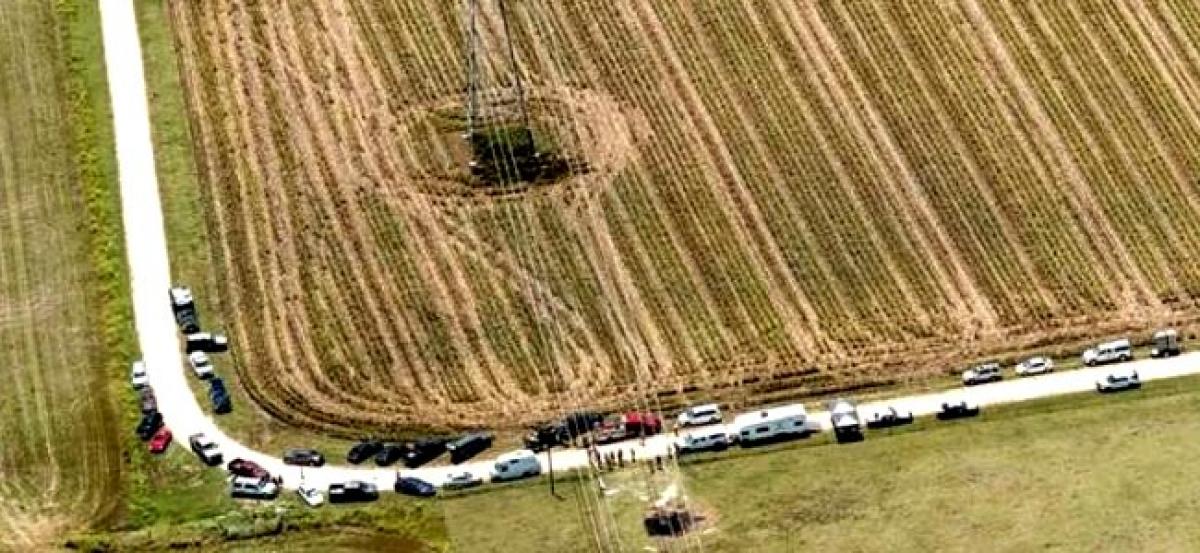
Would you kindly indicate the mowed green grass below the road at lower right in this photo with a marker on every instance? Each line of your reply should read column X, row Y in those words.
column 1075, row 473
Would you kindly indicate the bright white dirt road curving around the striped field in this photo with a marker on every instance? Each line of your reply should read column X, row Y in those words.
column 147, row 247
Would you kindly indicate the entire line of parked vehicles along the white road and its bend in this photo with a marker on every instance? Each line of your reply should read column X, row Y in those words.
column 579, row 429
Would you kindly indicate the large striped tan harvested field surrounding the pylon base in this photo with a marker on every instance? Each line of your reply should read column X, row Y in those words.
column 769, row 200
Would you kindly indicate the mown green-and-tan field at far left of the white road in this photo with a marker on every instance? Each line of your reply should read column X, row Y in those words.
column 61, row 454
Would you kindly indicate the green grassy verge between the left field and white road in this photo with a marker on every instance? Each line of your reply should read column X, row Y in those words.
column 155, row 488
